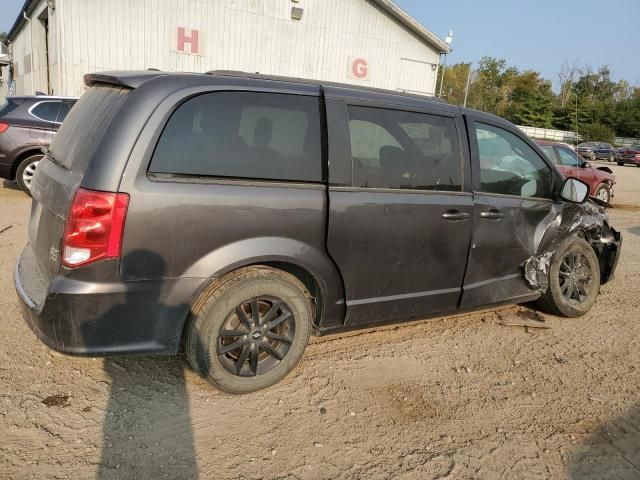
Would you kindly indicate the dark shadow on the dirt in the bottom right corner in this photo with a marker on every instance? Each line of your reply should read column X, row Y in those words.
column 613, row 451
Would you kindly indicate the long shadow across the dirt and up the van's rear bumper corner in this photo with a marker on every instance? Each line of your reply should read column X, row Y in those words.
column 147, row 427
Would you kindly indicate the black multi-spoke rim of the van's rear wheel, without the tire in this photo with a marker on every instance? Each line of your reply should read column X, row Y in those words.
column 256, row 336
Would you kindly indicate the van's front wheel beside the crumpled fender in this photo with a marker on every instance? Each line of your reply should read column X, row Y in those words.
column 561, row 298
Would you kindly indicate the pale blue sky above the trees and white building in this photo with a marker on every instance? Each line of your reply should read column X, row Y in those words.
column 530, row 34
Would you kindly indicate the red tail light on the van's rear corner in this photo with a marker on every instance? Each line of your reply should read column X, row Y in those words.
column 94, row 227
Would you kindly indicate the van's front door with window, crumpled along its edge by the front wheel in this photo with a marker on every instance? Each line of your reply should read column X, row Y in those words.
column 512, row 193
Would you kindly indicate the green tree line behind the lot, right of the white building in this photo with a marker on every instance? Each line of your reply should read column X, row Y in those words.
column 589, row 101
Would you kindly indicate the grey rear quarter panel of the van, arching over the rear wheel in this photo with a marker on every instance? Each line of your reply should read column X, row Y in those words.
column 201, row 228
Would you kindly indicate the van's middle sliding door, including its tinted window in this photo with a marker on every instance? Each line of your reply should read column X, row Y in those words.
column 400, row 222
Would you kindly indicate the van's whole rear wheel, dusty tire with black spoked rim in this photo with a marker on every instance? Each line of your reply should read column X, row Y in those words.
column 224, row 317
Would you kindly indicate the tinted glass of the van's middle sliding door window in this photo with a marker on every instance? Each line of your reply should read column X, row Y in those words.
column 405, row 150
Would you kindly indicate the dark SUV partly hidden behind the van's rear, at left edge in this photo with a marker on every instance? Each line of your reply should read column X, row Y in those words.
column 27, row 125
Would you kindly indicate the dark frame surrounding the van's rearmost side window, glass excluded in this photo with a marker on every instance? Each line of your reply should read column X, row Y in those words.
column 174, row 102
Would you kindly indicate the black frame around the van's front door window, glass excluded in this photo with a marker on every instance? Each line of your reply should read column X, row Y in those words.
column 472, row 120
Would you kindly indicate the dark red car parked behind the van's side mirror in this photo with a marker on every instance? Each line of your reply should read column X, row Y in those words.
column 601, row 180
